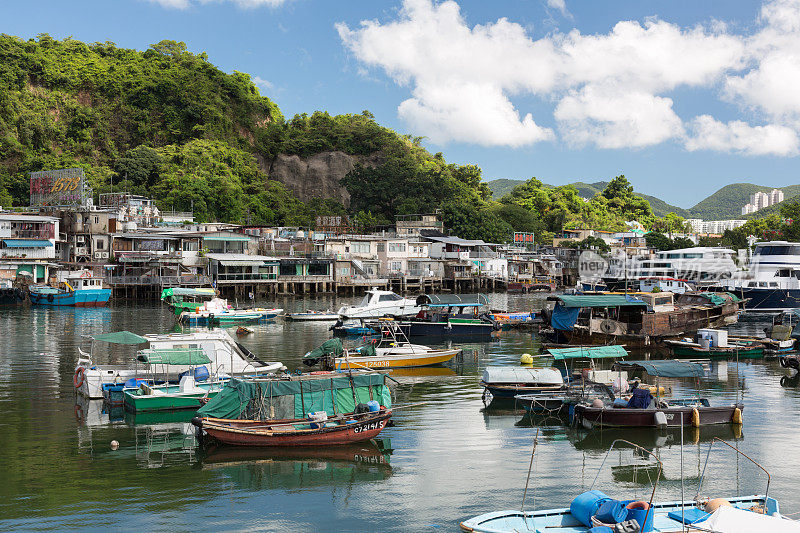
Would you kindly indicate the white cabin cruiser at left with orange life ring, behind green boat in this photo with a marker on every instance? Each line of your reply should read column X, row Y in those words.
column 227, row 358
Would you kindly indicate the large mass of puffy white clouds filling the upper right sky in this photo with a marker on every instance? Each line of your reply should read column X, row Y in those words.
column 612, row 90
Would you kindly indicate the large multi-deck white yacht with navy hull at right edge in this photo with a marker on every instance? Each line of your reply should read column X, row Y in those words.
column 772, row 282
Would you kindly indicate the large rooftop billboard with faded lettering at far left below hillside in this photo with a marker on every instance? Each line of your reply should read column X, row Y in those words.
column 60, row 188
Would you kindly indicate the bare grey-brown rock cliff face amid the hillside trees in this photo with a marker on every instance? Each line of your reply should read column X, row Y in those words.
column 318, row 176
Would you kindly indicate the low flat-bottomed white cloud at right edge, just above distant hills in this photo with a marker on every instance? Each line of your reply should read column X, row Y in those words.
column 737, row 136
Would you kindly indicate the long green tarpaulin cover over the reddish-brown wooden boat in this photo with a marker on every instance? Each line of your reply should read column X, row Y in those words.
column 268, row 399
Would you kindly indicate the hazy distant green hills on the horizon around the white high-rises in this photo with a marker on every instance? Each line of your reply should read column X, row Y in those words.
column 726, row 203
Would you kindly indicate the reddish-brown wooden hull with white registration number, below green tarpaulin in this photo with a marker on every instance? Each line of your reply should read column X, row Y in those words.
column 254, row 433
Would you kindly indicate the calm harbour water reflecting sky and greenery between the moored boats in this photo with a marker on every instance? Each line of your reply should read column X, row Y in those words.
column 443, row 462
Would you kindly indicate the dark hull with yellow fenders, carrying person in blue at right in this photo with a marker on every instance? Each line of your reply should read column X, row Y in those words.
column 639, row 418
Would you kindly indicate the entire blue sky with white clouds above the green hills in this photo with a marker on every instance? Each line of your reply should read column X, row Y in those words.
column 682, row 97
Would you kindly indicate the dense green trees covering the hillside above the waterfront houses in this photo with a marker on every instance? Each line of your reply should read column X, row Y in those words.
column 167, row 123
